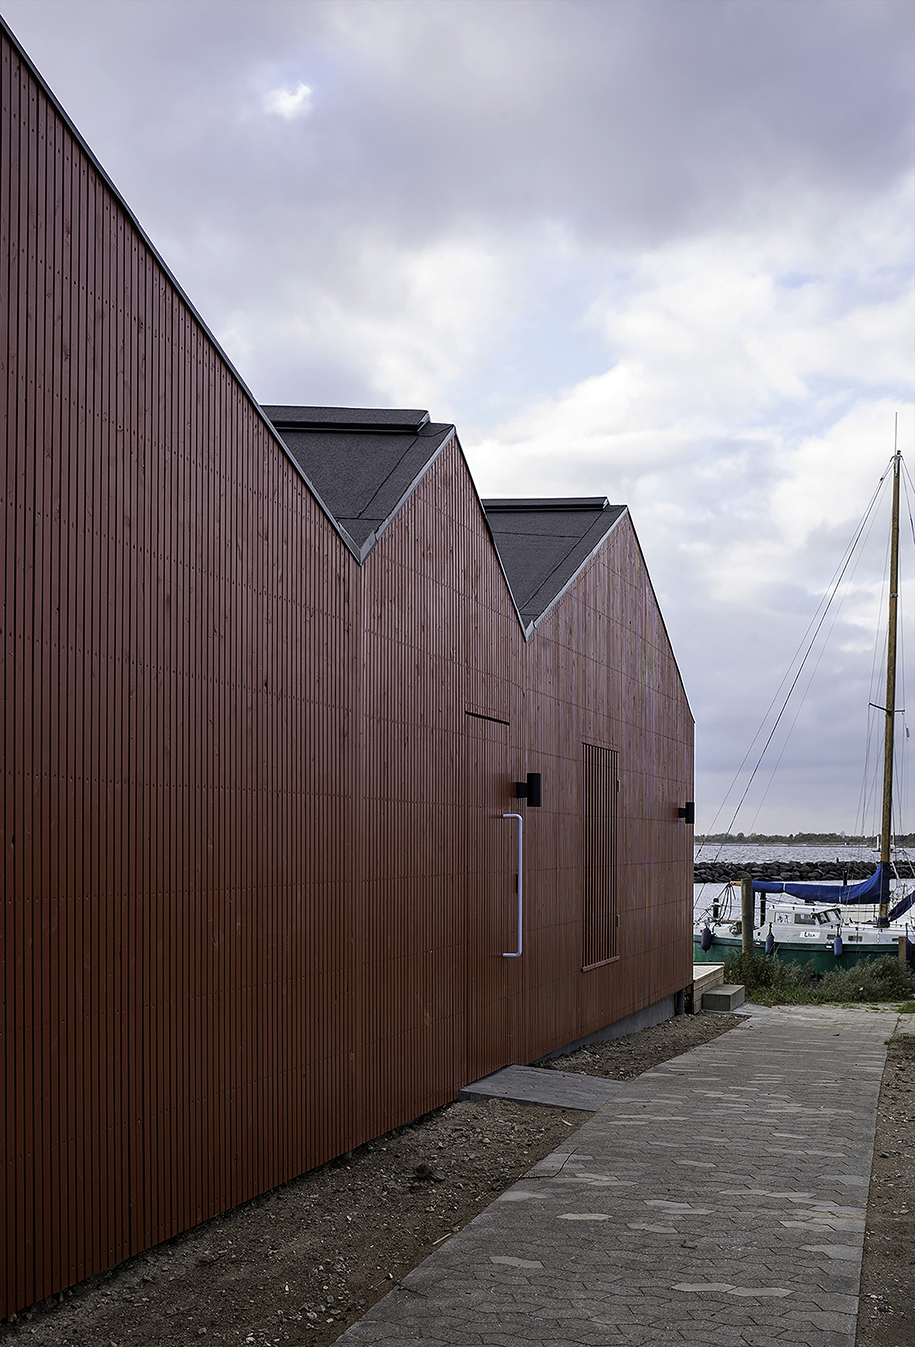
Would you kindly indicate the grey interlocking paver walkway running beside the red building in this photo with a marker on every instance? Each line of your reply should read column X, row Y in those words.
column 718, row 1201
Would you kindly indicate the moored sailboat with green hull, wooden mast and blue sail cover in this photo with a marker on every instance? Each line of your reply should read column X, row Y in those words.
column 823, row 923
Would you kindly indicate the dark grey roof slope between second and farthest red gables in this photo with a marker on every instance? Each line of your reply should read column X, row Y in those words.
column 545, row 544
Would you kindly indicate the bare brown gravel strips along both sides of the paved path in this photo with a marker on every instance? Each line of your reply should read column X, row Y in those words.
column 307, row 1260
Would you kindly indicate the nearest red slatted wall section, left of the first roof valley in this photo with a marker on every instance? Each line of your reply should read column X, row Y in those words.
column 158, row 952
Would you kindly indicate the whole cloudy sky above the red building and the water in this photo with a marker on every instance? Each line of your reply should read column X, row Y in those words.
column 654, row 250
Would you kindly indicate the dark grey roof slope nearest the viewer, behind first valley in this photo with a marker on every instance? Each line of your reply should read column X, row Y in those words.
column 362, row 463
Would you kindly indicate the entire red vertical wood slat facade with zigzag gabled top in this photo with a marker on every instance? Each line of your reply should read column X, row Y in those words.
column 257, row 878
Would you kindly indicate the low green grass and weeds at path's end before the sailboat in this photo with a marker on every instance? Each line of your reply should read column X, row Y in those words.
column 771, row 983
